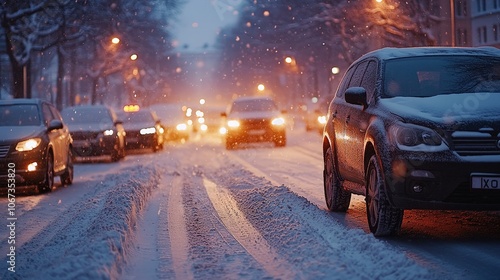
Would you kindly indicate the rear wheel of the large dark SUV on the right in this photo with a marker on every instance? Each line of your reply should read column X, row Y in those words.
column 337, row 198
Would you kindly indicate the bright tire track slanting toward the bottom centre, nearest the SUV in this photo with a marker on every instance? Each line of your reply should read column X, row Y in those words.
column 243, row 231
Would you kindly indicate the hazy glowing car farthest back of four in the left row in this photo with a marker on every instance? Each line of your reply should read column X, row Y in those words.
column 173, row 121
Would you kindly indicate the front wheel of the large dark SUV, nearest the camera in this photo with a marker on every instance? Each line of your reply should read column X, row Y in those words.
column 383, row 219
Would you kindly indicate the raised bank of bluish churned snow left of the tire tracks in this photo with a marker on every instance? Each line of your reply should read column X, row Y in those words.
column 90, row 240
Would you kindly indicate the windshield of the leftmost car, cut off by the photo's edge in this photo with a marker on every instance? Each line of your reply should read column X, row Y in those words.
column 19, row 115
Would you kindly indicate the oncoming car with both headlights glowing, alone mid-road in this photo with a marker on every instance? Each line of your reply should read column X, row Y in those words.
column 254, row 119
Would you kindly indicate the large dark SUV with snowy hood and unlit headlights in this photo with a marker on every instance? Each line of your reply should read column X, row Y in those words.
column 415, row 128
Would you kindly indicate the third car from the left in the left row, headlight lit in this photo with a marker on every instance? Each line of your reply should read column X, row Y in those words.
column 143, row 130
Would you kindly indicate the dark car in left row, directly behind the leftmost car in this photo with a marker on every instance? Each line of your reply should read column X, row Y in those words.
column 96, row 131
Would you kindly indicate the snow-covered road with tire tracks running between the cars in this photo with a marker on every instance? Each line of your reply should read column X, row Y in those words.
column 197, row 211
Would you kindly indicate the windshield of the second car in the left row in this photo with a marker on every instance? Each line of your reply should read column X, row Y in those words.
column 86, row 115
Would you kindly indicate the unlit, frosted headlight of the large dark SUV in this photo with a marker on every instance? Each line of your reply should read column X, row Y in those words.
column 409, row 137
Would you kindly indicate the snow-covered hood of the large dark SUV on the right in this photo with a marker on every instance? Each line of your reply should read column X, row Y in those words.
column 470, row 108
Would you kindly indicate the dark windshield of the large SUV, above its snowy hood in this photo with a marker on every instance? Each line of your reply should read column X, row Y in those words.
column 430, row 76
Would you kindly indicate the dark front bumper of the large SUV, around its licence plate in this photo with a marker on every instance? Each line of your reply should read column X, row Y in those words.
column 444, row 181
